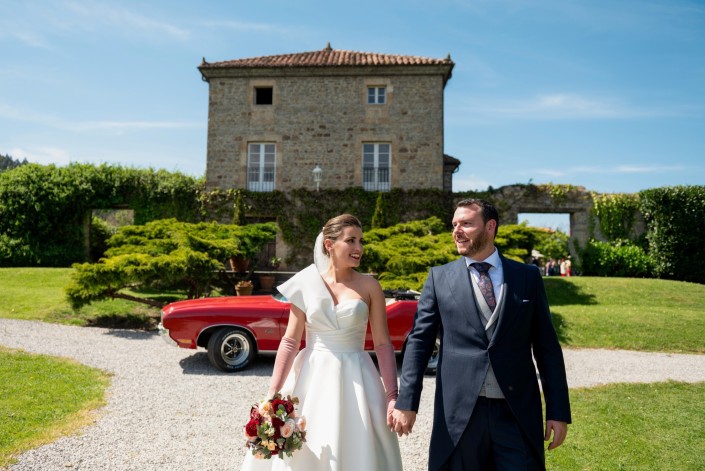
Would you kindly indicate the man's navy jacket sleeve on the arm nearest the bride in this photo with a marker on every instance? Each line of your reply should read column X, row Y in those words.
column 419, row 347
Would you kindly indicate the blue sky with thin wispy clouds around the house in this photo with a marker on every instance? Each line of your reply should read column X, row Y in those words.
column 609, row 95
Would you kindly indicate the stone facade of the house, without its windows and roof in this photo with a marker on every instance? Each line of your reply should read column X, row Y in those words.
column 324, row 119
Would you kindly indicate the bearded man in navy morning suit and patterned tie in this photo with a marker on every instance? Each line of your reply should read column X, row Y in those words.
column 491, row 314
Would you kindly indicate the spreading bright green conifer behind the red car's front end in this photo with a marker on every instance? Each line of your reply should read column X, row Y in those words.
column 165, row 253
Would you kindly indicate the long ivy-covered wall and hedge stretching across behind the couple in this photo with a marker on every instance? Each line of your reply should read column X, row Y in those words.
column 45, row 212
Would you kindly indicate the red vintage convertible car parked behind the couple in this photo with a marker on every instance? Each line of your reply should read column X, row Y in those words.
column 235, row 328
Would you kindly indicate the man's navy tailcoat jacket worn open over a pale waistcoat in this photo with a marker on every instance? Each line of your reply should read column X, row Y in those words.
column 447, row 307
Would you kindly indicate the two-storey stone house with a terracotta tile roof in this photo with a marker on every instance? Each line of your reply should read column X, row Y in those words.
column 360, row 119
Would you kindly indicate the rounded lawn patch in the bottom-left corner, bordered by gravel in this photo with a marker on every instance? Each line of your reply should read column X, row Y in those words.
column 43, row 398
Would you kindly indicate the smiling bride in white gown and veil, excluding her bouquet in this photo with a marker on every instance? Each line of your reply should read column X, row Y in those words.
column 346, row 406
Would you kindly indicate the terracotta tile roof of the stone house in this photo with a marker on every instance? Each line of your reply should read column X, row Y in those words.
column 327, row 57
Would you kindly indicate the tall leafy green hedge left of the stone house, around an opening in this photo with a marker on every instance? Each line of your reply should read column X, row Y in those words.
column 45, row 210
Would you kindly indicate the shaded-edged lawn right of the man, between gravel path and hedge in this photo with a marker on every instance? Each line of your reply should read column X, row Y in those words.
column 628, row 313
